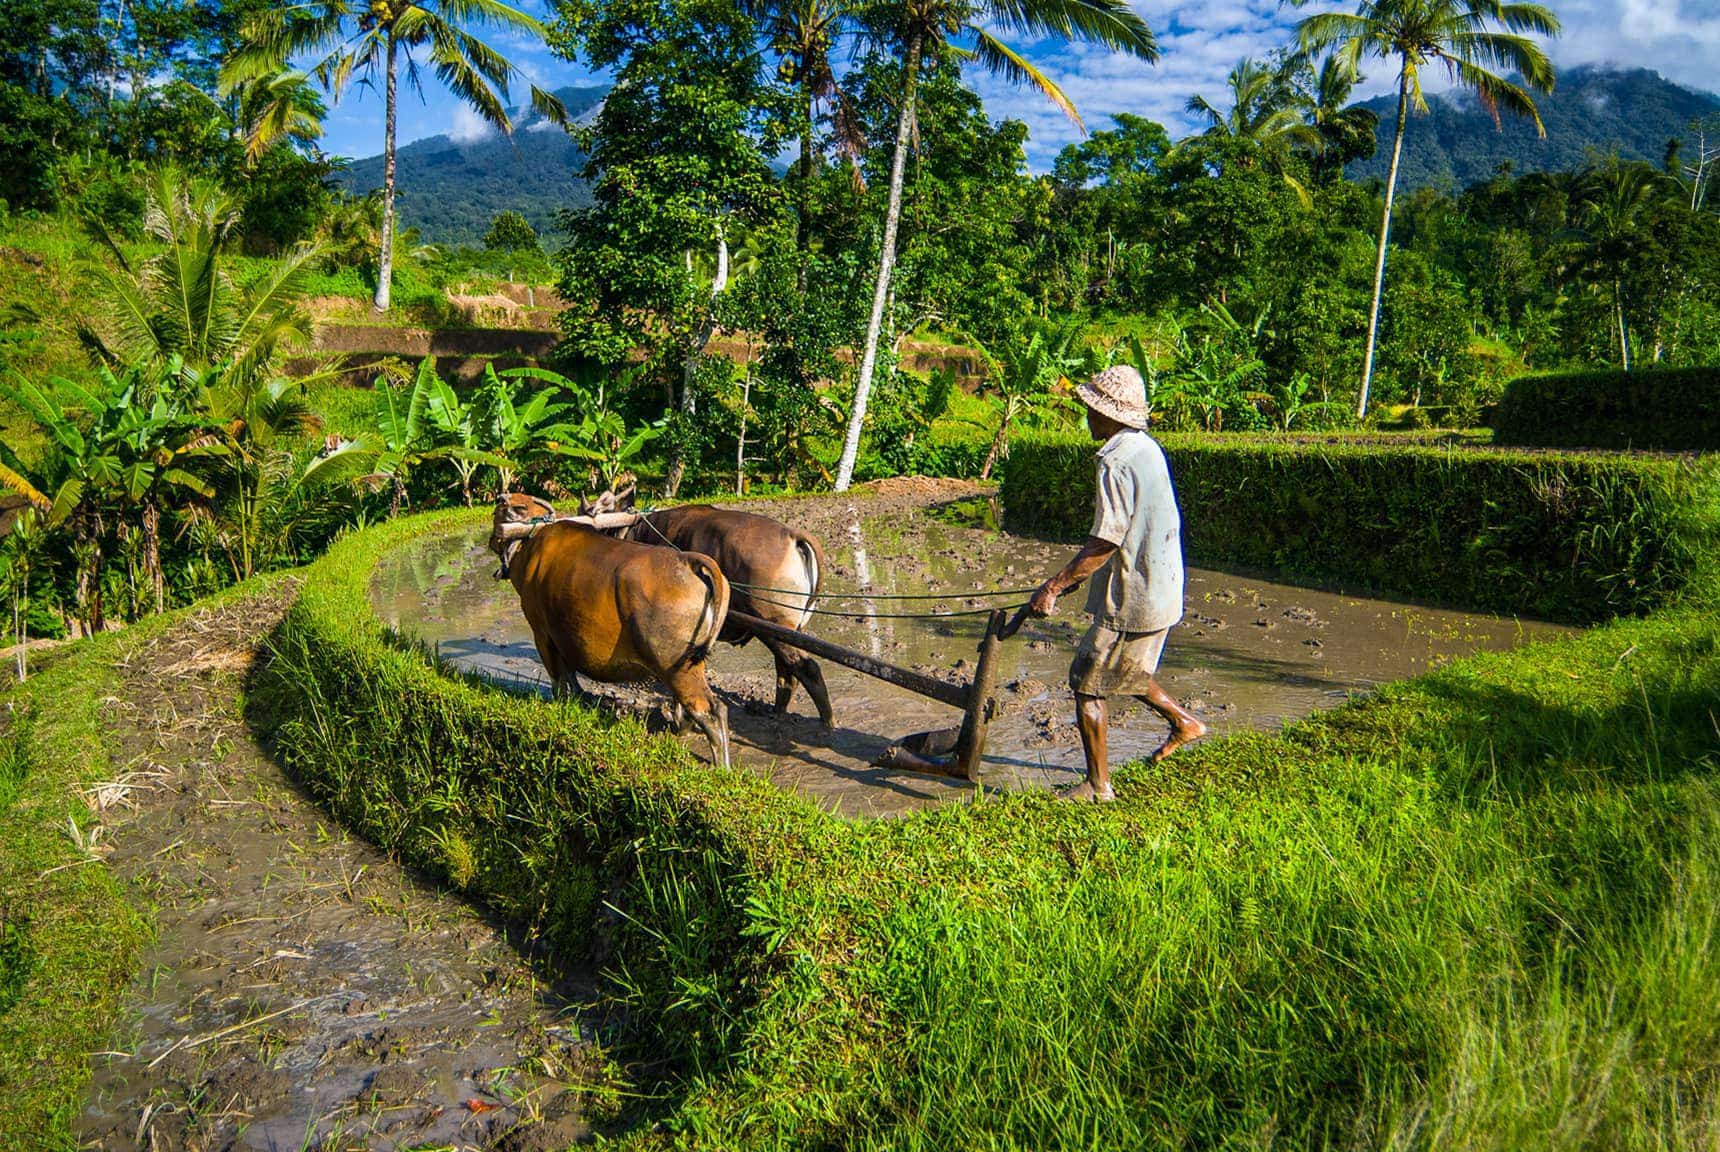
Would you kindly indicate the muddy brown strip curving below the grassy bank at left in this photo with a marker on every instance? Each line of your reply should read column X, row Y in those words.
column 305, row 993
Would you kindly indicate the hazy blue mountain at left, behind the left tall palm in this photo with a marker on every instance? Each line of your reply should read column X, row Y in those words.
column 450, row 190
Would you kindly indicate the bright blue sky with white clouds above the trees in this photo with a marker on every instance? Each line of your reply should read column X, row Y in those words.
column 1200, row 42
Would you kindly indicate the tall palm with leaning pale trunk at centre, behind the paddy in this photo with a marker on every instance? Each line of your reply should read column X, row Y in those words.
column 928, row 27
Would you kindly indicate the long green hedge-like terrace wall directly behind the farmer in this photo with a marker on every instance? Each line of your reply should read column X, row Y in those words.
column 1568, row 537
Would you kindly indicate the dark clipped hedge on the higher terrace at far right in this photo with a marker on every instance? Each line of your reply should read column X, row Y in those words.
column 1669, row 410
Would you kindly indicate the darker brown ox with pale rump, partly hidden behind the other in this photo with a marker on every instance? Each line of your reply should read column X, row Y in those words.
column 756, row 553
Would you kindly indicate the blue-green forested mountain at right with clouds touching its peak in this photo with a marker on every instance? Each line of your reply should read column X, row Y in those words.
column 1592, row 111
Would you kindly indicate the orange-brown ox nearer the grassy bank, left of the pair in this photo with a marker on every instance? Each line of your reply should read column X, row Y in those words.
column 617, row 611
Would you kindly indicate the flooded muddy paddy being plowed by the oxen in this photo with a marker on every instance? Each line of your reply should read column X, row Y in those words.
column 1250, row 653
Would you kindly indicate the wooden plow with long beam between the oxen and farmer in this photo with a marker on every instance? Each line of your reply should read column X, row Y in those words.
column 973, row 699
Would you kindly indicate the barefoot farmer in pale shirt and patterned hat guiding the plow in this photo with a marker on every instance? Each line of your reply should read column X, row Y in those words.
column 1134, row 556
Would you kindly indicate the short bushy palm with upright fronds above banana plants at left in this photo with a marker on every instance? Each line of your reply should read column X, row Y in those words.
column 181, row 312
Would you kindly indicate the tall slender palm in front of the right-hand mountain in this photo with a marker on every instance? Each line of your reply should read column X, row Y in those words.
column 1418, row 34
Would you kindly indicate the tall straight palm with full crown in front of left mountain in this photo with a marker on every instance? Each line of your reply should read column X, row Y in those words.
column 360, row 37
